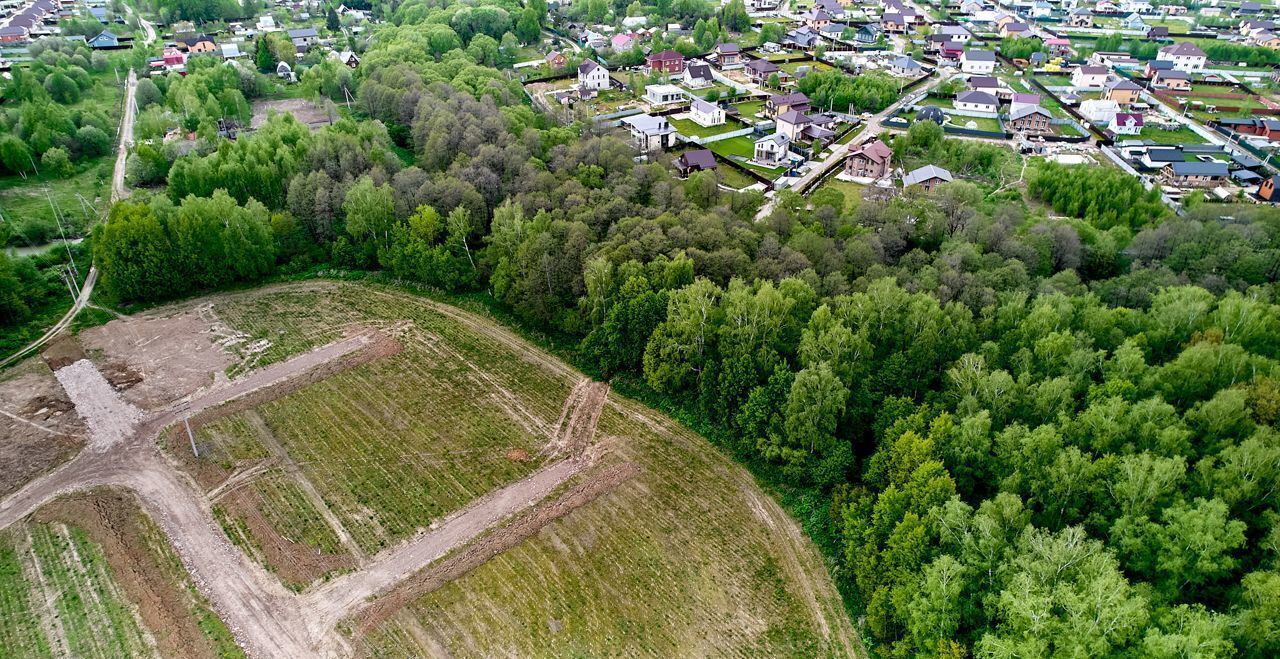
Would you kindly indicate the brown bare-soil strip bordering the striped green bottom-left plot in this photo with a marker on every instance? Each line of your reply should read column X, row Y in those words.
column 113, row 520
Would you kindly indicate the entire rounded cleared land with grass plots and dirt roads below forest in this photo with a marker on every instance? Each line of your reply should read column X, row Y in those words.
column 465, row 493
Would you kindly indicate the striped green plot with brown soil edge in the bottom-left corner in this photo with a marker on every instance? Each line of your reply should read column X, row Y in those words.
column 92, row 576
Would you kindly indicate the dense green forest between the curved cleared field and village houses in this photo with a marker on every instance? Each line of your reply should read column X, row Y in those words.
column 1013, row 436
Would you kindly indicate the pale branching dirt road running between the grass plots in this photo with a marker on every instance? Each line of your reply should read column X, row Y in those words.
column 266, row 617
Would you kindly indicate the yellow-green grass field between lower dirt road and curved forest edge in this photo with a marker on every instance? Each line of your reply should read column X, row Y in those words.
column 685, row 559
